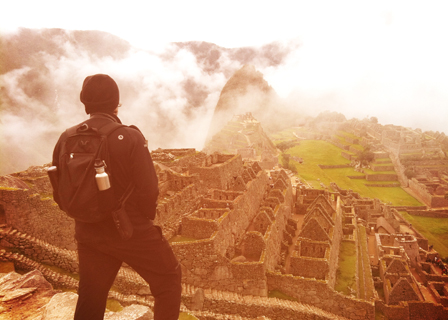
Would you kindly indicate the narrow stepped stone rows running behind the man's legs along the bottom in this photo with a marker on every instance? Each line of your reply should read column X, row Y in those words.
column 134, row 290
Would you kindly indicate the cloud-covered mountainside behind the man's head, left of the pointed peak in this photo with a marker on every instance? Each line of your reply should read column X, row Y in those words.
column 169, row 94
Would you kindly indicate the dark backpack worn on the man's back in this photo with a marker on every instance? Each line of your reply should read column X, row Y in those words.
column 77, row 191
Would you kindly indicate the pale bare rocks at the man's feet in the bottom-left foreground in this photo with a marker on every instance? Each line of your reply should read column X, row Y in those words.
column 32, row 297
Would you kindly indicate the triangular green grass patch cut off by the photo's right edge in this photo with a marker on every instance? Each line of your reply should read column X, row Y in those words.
column 433, row 229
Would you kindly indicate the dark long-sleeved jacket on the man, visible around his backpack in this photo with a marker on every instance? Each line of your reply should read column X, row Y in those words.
column 130, row 161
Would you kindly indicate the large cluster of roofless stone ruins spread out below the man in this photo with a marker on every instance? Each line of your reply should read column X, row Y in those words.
column 240, row 232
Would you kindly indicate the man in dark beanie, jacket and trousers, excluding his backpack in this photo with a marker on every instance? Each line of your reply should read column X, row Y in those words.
column 101, row 250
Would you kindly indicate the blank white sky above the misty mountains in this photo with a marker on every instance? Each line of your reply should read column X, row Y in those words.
column 387, row 59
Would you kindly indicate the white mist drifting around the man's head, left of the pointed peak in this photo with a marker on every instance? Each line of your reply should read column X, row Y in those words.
column 168, row 95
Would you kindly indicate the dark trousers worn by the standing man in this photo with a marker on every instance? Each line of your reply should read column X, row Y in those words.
column 148, row 253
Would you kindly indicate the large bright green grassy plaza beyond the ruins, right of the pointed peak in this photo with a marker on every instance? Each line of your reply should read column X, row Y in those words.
column 315, row 152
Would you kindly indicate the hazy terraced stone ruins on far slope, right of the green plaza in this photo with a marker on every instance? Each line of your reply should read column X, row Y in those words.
column 410, row 150
